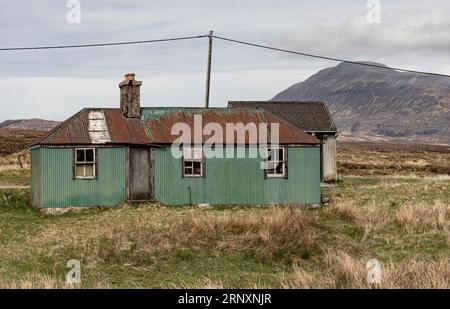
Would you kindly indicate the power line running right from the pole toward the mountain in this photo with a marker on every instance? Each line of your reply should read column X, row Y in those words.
column 328, row 58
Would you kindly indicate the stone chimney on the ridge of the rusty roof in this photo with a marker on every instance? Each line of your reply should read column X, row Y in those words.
column 130, row 96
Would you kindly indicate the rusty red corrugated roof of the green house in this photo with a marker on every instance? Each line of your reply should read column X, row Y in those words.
column 158, row 129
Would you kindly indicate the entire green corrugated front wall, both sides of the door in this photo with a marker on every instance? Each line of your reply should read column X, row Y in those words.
column 228, row 180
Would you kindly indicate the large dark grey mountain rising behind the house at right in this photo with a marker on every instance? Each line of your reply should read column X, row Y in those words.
column 380, row 102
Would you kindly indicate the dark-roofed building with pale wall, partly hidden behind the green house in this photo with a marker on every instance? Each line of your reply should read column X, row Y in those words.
column 311, row 116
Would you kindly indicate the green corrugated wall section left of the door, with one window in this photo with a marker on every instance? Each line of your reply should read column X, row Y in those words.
column 53, row 184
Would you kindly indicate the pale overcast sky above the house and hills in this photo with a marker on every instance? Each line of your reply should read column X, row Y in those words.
column 54, row 84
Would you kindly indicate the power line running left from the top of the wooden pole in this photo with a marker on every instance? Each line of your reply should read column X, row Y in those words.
column 103, row 44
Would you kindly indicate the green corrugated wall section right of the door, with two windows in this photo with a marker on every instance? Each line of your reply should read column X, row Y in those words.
column 239, row 181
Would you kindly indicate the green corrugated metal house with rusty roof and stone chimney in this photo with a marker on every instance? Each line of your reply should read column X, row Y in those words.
column 103, row 157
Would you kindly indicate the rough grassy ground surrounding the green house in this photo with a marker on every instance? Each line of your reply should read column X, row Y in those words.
column 402, row 219
